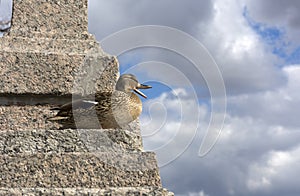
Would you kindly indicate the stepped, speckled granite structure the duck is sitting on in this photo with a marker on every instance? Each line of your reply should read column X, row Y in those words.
column 45, row 57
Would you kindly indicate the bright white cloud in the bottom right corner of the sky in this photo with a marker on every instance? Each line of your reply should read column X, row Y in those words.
column 275, row 172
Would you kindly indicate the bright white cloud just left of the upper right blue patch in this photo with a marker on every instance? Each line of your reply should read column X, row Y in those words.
column 245, row 61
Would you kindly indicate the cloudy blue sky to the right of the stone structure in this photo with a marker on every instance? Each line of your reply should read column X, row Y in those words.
column 255, row 46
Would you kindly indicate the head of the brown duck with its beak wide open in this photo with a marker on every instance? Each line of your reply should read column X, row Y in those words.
column 128, row 82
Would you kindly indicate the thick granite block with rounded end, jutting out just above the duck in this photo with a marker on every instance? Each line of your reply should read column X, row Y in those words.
column 58, row 74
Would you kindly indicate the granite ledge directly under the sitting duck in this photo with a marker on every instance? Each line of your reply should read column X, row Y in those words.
column 69, row 140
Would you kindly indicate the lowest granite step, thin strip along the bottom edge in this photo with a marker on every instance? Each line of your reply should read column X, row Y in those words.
column 120, row 191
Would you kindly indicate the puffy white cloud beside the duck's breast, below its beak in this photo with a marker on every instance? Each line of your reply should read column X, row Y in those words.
column 170, row 123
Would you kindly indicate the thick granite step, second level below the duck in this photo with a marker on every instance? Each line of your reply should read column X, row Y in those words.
column 86, row 170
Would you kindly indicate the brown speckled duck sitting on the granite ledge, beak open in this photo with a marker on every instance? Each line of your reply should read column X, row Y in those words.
column 104, row 109
